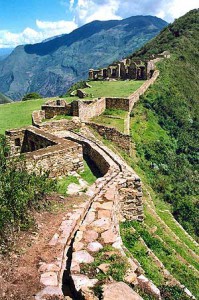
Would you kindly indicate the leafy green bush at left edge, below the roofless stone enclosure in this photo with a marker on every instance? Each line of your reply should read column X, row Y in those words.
column 19, row 191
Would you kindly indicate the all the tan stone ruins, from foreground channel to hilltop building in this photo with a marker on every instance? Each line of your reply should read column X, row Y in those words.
column 59, row 147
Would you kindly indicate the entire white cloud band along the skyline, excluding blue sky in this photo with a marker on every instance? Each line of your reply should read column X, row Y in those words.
column 84, row 11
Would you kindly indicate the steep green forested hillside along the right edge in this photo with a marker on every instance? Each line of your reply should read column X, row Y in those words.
column 167, row 119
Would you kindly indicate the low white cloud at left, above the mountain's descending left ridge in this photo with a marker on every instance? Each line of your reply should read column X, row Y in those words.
column 29, row 36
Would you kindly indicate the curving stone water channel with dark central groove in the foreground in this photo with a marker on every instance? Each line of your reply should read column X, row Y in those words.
column 89, row 228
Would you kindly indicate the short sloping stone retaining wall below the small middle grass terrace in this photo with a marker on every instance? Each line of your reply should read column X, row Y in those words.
column 121, row 140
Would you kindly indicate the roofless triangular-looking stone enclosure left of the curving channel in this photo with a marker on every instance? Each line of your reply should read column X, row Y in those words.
column 46, row 152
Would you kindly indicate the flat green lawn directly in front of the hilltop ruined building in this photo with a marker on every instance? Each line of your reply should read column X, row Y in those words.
column 112, row 88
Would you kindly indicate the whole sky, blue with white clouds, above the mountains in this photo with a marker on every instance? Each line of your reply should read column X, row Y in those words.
column 31, row 21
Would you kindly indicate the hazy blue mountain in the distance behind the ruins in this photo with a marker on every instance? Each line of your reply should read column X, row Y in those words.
column 52, row 66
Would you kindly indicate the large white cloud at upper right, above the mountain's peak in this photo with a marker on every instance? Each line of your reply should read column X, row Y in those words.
column 89, row 10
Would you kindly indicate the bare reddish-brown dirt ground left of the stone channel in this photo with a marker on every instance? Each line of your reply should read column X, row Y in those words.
column 19, row 276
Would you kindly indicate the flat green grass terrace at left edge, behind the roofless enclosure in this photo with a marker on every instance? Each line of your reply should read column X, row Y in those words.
column 18, row 114
